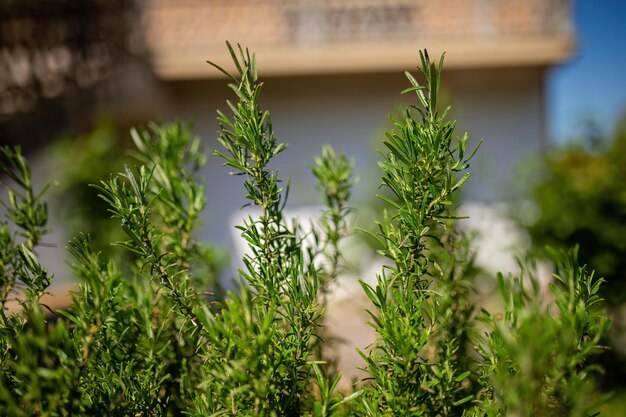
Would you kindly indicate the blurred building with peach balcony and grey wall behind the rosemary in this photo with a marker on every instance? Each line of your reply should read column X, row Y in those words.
column 333, row 70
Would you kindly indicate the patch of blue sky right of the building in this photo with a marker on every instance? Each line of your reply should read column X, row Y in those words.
column 592, row 84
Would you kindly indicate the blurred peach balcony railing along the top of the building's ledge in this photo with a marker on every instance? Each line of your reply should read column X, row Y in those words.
column 306, row 22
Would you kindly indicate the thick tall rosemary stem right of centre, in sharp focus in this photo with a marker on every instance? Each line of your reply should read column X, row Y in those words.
column 420, row 169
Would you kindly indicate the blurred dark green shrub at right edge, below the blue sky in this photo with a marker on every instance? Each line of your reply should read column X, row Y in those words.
column 581, row 198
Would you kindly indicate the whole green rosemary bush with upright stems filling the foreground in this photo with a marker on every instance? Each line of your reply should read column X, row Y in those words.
column 143, row 339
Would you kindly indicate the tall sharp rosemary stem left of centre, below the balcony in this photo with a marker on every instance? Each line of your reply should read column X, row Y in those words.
column 271, row 371
